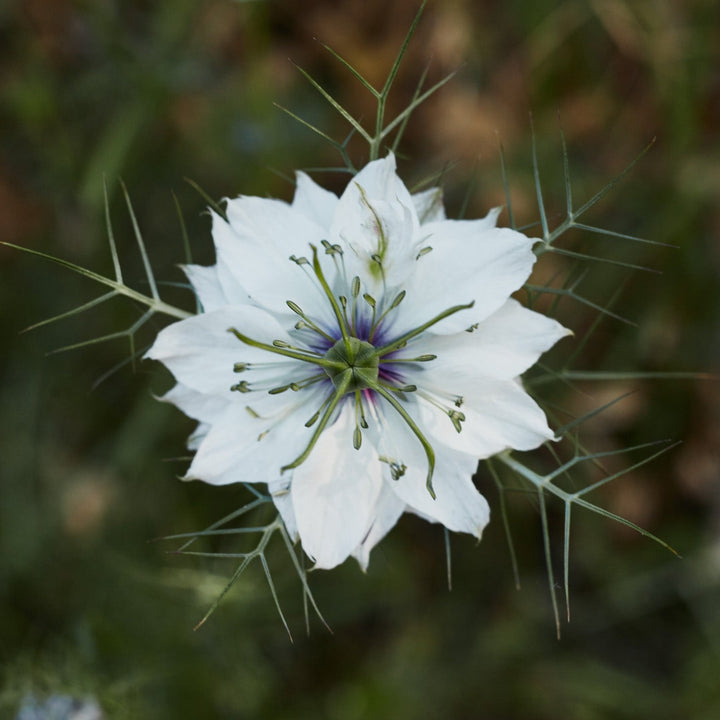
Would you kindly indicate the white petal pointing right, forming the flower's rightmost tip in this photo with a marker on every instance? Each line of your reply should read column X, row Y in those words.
column 502, row 347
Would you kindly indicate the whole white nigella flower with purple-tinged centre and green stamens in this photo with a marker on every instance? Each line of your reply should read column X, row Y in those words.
column 359, row 355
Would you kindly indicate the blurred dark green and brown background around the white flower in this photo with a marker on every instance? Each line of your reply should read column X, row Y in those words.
column 154, row 92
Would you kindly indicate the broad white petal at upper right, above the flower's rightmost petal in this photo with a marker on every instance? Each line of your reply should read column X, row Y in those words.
column 469, row 262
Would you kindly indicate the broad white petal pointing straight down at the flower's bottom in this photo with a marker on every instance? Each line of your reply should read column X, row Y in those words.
column 335, row 492
